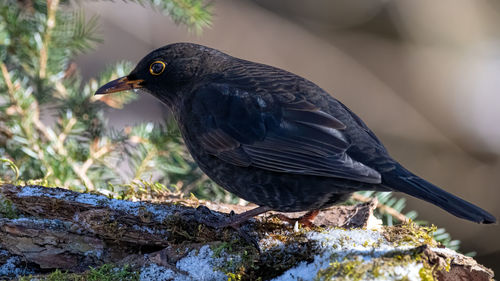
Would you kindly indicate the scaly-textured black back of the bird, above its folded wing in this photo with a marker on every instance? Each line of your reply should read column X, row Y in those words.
column 271, row 83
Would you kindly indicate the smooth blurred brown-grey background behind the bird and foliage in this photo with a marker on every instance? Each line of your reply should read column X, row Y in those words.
column 424, row 75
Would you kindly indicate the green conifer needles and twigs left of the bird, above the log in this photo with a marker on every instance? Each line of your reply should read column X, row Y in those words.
column 74, row 148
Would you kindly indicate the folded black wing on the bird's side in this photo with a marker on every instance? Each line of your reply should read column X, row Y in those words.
column 293, row 137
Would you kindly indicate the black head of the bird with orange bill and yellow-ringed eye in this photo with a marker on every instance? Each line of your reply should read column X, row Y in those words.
column 167, row 71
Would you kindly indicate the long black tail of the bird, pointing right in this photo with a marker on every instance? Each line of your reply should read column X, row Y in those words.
column 403, row 180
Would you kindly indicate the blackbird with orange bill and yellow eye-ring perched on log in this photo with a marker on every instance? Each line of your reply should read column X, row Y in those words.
column 274, row 138
